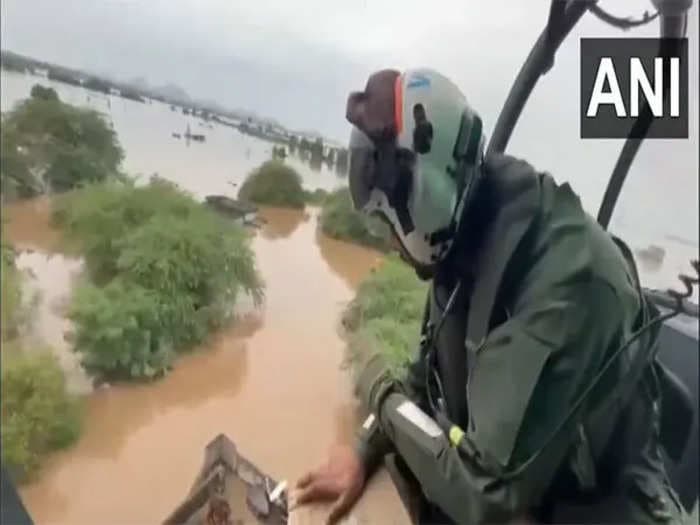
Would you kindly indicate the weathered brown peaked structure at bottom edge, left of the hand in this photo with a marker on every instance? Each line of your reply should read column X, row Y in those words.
column 229, row 489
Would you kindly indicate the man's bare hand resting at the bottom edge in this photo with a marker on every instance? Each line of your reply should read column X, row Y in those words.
column 341, row 480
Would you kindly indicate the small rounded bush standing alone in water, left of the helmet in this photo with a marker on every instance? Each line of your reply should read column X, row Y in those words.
column 274, row 184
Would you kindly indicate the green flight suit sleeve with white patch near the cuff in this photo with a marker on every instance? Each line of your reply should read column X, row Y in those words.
column 527, row 373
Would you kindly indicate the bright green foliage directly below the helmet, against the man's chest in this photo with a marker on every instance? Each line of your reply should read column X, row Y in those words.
column 386, row 314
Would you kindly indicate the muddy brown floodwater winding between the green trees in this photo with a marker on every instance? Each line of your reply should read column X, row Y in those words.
column 272, row 382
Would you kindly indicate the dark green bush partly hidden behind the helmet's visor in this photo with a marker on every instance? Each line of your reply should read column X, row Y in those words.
column 340, row 220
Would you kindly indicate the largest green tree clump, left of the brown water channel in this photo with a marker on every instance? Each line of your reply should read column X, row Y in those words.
column 165, row 271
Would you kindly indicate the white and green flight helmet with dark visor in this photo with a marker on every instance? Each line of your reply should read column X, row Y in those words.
column 416, row 150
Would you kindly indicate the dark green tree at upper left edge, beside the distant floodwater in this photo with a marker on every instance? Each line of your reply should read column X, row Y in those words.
column 48, row 146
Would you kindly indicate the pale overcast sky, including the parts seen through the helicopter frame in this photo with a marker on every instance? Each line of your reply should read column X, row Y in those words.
column 297, row 60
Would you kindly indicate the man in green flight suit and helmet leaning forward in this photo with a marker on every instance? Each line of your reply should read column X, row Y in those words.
column 524, row 400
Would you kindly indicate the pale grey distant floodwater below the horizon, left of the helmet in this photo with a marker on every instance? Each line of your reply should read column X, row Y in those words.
column 145, row 132
